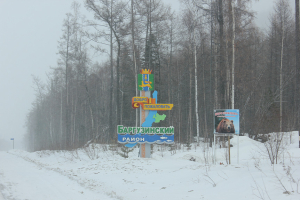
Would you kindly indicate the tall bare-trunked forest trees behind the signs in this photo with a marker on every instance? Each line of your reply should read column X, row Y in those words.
column 208, row 56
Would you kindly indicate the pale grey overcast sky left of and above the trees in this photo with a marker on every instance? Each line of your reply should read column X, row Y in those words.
column 29, row 31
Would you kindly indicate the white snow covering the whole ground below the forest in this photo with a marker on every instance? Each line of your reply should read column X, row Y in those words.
column 100, row 173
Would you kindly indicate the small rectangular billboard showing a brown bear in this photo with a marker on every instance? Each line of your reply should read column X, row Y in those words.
column 227, row 121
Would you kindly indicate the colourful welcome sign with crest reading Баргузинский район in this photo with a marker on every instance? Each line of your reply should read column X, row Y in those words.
column 149, row 107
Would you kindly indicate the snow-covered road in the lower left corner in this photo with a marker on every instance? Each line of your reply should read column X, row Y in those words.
column 22, row 179
